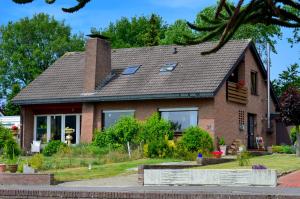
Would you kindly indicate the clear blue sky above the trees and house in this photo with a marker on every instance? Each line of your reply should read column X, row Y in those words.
column 99, row 13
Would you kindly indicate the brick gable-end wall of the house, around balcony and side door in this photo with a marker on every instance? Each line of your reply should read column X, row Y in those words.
column 227, row 113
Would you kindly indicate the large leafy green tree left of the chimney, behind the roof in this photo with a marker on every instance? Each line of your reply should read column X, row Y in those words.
column 29, row 46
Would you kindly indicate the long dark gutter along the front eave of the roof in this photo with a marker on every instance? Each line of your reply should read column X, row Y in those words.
column 115, row 98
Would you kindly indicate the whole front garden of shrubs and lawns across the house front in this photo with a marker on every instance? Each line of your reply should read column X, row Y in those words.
column 128, row 144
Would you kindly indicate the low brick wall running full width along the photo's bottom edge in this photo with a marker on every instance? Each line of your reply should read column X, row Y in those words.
column 138, row 193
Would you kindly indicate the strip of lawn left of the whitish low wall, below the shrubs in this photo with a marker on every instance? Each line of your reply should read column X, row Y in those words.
column 102, row 171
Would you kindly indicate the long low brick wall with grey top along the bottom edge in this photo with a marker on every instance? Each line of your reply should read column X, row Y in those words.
column 147, row 193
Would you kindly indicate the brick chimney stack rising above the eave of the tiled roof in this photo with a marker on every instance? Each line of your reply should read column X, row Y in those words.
column 97, row 61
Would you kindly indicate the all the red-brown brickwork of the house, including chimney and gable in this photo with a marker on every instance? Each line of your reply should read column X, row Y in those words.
column 216, row 115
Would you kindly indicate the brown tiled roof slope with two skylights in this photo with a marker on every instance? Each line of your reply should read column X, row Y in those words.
column 195, row 75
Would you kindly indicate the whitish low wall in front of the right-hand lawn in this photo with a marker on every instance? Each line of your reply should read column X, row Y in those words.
column 223, row 177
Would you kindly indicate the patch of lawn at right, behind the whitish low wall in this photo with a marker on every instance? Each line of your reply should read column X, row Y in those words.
column 281, row 162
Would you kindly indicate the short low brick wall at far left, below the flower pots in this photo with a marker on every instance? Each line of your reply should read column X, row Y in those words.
column 26, row 179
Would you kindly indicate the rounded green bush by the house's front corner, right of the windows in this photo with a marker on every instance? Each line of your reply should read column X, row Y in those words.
column 195, row 139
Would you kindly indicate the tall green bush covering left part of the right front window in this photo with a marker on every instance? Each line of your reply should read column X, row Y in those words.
column 155, row 134
